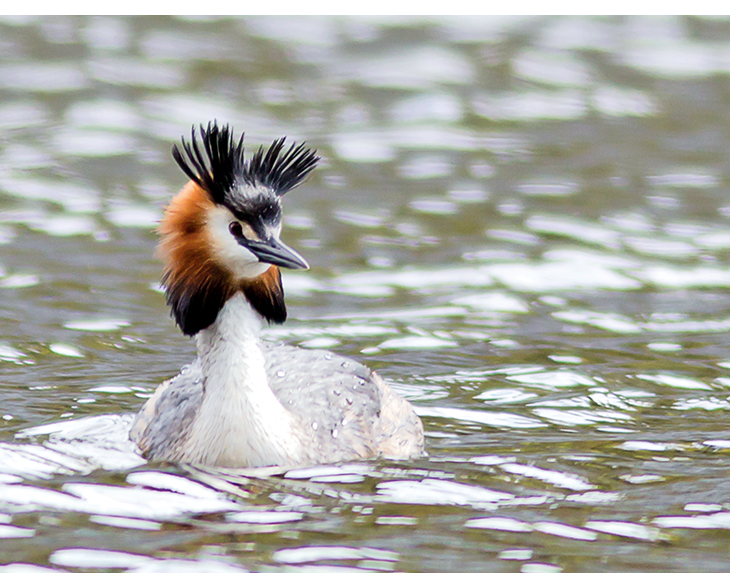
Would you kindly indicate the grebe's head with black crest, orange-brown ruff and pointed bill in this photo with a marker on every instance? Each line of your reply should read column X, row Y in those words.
column 220, row 234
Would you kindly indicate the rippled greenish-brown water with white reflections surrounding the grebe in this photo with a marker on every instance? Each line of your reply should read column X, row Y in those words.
column 522, row 223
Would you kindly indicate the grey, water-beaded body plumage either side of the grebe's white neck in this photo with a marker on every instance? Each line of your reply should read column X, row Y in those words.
column 344, row 410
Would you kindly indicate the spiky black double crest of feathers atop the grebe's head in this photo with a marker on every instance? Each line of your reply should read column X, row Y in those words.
column 220, row 165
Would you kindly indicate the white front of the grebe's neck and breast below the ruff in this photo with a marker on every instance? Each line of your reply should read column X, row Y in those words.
column 240, row 422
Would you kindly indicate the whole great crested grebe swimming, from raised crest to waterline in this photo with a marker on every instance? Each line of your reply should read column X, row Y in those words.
column 245, row 402
